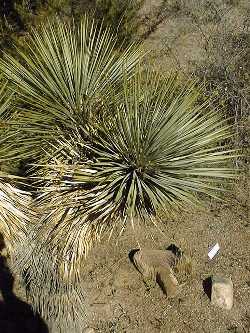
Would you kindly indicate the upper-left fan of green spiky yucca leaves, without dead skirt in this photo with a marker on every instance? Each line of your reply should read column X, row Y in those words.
column 64, row 79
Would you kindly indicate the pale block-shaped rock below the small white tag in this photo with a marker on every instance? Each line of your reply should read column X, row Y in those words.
column 222, row 292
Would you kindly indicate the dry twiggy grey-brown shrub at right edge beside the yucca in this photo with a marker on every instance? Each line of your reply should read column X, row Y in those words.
column 225, row 71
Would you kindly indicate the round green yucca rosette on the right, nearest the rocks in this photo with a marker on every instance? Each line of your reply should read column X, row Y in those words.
column 161, row 149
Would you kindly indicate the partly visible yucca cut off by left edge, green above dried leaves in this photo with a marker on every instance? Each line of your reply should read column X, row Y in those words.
column 14, row 203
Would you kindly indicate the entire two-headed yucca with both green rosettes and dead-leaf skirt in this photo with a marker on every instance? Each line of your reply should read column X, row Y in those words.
column 109, row 145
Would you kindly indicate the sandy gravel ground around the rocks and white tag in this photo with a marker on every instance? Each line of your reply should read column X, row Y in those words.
column 121, row 302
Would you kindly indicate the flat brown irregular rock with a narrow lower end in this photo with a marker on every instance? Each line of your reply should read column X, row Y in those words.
column 156, row 267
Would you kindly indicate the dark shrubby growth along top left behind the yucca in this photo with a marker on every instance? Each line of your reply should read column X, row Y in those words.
column 17, row 17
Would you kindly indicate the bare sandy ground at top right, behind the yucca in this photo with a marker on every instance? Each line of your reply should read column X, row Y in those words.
column 180, row 34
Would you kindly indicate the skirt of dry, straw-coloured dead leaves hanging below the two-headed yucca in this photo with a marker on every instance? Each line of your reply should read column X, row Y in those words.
column 50, row 266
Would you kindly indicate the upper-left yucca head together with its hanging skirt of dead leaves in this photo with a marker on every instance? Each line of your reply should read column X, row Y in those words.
column 64, row 80
